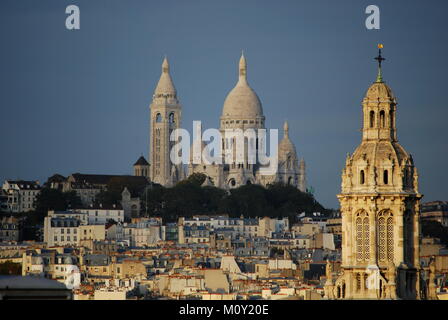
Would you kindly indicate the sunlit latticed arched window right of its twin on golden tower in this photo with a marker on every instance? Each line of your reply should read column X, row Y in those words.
column 386, row 236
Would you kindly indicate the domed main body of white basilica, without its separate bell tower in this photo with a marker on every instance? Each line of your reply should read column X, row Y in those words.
column 243, row 110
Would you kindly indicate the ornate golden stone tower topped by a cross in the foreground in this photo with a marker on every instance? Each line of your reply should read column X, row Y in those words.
column 380, row 209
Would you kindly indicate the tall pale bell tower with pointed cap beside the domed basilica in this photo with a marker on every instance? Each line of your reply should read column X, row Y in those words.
column 165, row 116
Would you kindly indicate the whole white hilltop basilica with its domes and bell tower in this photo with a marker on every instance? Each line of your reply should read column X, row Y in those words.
column 243, row 110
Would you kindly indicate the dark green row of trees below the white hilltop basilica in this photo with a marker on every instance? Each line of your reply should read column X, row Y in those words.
column 189, row 198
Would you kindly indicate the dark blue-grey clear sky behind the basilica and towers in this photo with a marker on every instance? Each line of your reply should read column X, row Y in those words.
column 78, row 100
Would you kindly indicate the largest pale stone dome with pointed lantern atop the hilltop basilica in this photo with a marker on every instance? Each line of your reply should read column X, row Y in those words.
column 242, row 102
